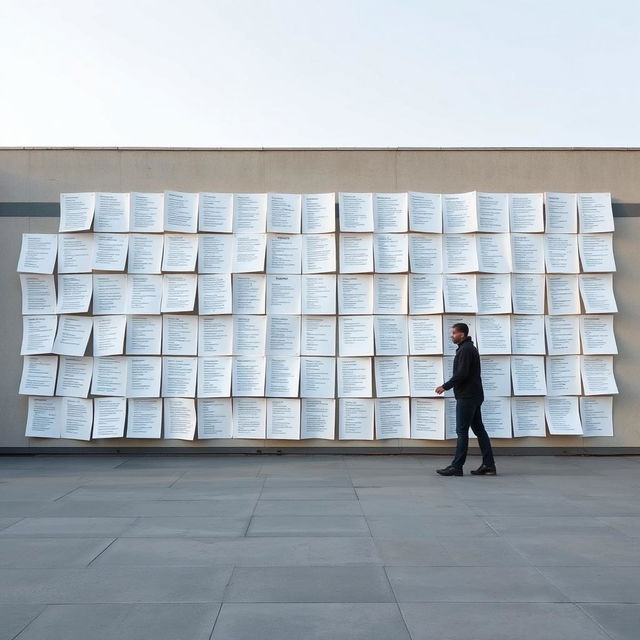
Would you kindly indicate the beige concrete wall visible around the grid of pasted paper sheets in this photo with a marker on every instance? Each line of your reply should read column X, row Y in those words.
column 39, row 175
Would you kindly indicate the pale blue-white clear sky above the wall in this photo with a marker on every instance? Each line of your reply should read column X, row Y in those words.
column 216, row 73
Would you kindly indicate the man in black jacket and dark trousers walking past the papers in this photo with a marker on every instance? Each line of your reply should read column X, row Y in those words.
column 467, row 389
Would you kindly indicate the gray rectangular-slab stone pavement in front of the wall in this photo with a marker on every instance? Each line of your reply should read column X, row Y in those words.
column 232, row 547
